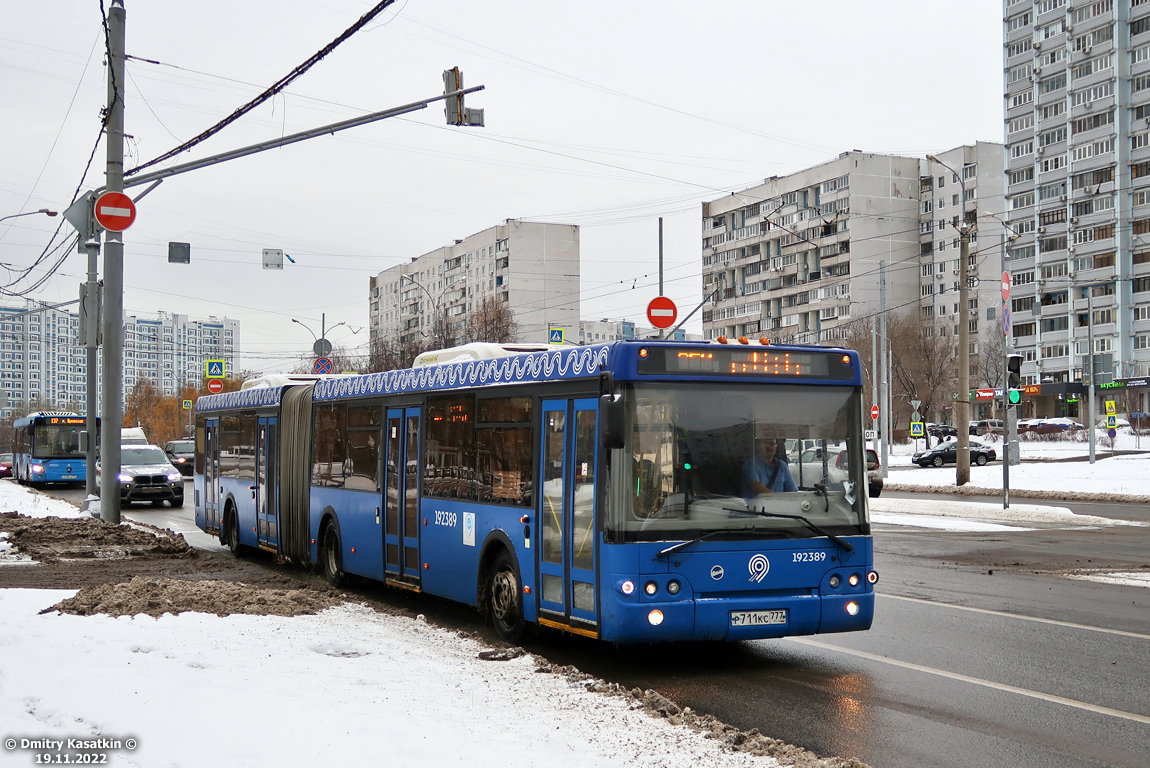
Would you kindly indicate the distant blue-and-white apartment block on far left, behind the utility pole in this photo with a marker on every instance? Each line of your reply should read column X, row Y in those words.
column 41, row 359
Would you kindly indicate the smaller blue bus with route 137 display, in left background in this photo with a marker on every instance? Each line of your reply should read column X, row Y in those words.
column 47, row 449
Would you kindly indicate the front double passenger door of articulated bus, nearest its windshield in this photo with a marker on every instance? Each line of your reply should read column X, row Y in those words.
column 568, row 514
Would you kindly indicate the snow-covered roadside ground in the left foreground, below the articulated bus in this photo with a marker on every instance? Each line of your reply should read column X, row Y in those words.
column 343, row 687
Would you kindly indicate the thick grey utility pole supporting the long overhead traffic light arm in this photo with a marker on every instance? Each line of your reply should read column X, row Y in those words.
column 113, row 277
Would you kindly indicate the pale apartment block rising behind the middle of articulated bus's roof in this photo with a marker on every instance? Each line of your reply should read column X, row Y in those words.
column 532, row 268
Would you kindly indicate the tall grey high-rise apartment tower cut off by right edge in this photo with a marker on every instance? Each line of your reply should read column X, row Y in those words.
column 1077, row 107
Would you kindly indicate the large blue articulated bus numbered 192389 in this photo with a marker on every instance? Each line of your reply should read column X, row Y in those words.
column 635, row 493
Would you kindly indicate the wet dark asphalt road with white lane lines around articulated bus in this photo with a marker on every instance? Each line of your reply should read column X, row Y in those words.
column 983, row 654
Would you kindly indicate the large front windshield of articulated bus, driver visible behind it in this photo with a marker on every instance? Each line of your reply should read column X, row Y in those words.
column 708, row 459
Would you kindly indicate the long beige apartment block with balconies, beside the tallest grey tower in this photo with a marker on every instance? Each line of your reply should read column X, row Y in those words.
column 800, row 258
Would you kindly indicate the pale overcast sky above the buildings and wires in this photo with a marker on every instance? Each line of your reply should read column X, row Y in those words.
column 601, row 114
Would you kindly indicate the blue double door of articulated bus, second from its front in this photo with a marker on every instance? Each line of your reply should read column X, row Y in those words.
column 402, row 504
